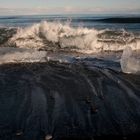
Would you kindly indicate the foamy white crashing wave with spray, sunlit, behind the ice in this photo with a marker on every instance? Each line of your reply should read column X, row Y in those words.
column 58, row 36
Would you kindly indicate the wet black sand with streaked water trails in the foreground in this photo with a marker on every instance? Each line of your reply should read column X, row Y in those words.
column 67, row 101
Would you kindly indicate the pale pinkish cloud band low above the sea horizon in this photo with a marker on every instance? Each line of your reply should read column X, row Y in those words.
column 66, row 10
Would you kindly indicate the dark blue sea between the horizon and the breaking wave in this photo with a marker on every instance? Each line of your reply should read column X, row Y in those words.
column 128, row 22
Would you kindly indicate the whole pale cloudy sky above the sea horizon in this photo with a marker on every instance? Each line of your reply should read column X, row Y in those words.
column 20, row 7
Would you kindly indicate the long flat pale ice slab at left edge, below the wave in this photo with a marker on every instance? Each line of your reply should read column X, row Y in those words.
column 21, row 55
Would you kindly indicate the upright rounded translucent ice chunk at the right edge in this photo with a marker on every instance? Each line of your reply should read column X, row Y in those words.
column 129, row 64
